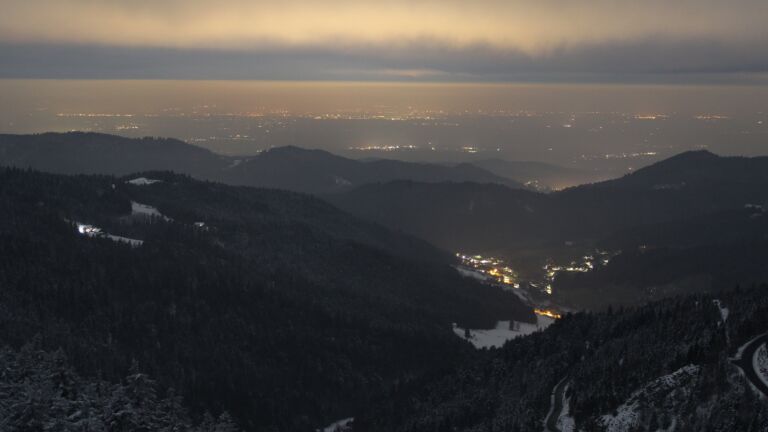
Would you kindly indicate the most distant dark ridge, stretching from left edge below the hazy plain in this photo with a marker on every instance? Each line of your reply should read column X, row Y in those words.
column 290, row 168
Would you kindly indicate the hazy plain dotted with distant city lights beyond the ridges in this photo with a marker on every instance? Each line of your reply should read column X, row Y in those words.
column 603, row 130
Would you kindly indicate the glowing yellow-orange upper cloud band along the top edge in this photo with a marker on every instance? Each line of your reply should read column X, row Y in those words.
column 531, row 26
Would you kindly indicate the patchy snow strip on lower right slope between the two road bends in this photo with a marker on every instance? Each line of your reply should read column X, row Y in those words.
column 627, row 415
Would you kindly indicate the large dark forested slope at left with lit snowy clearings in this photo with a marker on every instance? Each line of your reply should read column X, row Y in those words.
column 271, row 305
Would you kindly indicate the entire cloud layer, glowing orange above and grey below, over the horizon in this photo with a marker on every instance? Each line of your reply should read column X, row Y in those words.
column 482, row 40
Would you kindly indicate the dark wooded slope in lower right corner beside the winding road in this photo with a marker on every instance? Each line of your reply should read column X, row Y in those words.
column 663, row 366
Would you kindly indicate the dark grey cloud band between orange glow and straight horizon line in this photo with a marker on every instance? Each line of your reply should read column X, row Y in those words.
column 651, row 59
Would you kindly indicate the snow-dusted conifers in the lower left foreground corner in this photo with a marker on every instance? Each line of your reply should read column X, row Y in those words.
column 39, row 391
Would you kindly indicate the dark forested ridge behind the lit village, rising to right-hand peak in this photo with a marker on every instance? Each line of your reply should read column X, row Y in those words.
column 462, row 216
